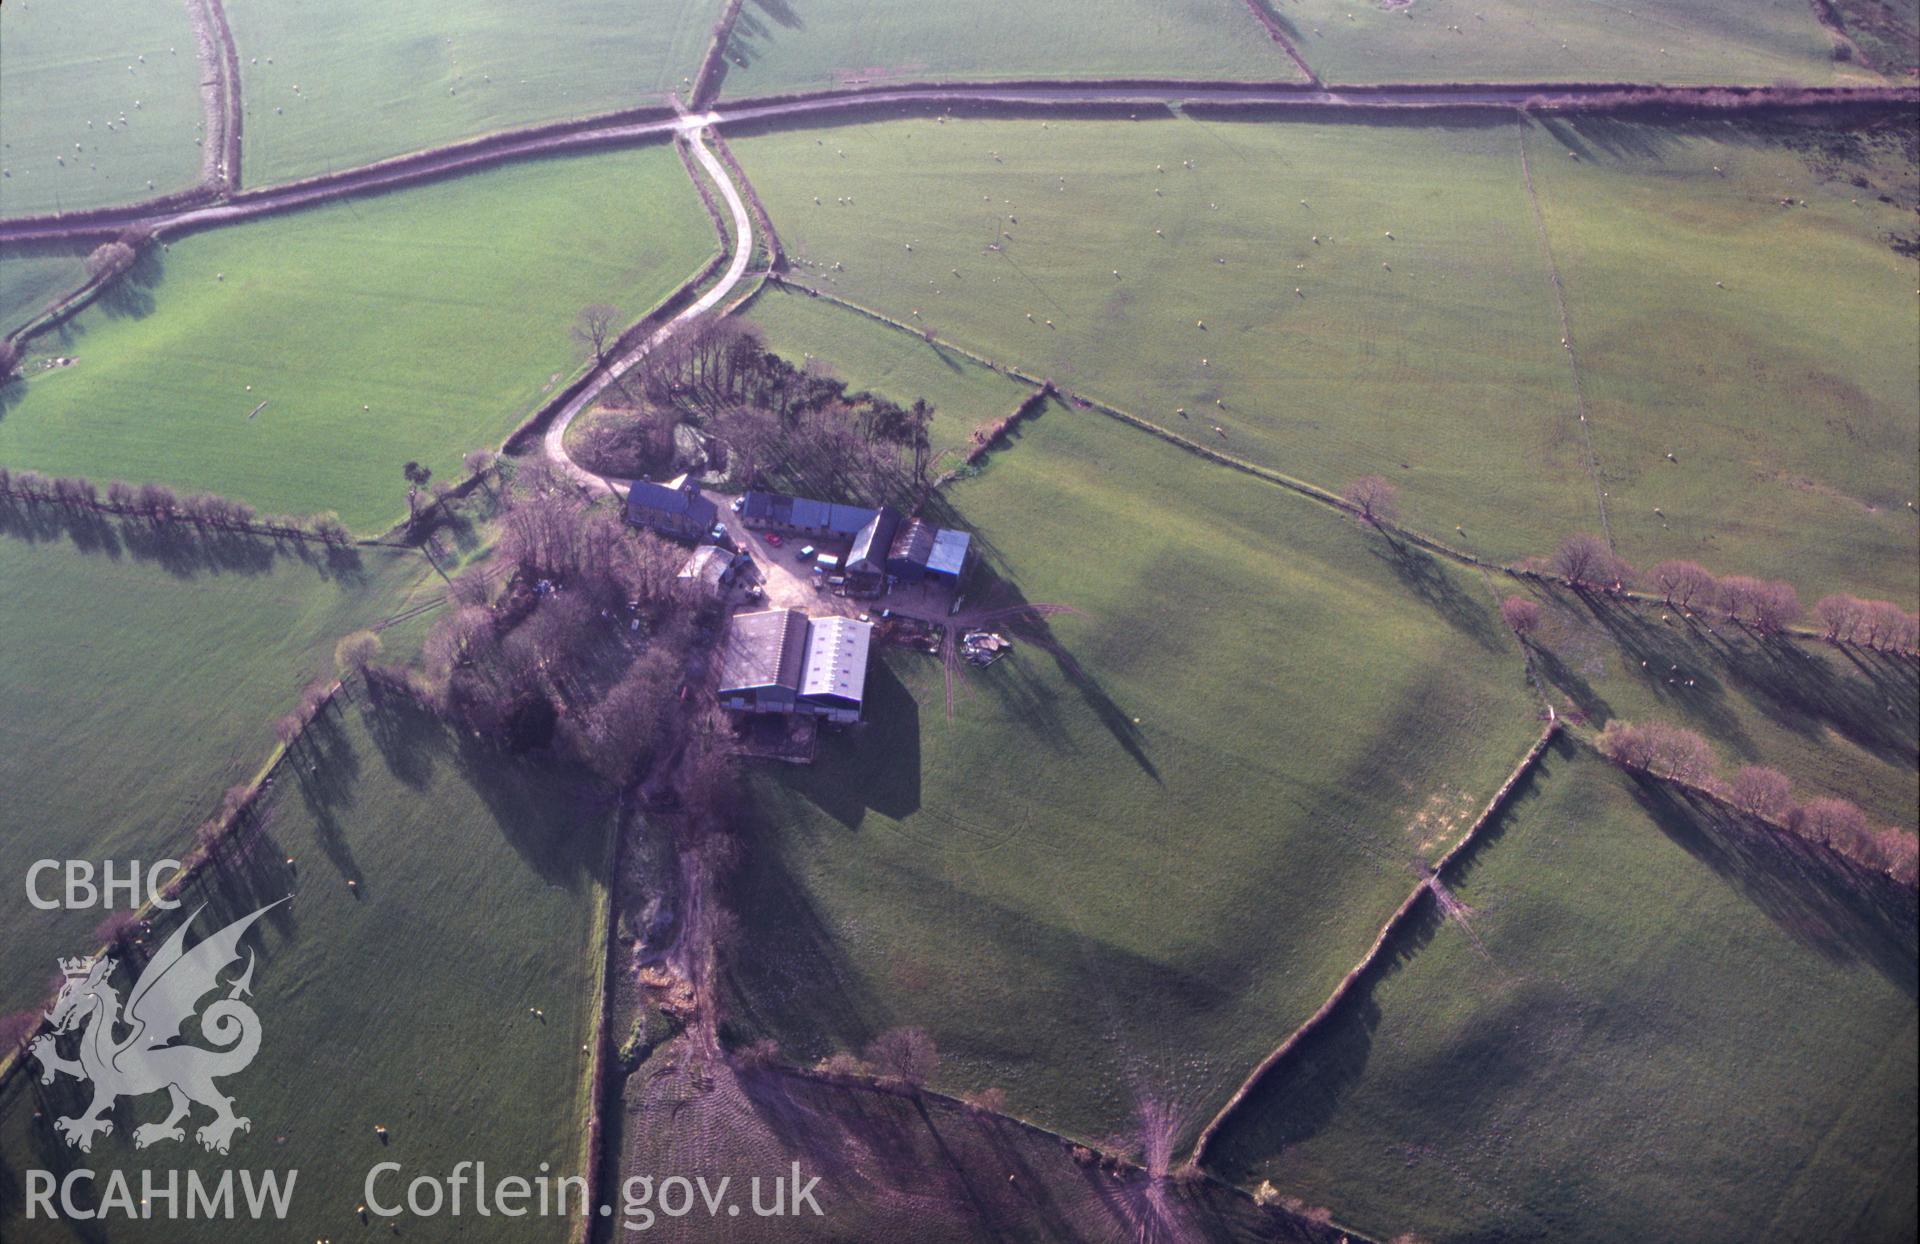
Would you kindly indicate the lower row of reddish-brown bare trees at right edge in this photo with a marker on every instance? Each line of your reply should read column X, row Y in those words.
column 1764, row 794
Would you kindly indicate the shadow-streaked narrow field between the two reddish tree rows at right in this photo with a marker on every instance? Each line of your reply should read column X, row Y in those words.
column 1838, row 723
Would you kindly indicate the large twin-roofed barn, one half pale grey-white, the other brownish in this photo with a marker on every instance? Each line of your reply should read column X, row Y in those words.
column 782, row 661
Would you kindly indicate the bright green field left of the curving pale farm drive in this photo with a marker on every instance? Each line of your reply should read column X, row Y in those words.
column 410, row 327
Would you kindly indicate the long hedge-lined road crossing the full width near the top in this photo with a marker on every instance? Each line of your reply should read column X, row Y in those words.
column 650, row 126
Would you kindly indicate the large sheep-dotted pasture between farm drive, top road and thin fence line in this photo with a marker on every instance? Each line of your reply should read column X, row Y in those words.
column 1353, row 375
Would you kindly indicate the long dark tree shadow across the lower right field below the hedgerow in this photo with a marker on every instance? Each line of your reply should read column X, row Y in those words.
column 1819, row 897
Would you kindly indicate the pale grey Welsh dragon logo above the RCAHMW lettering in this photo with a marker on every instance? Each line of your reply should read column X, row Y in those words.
column 153, row 1053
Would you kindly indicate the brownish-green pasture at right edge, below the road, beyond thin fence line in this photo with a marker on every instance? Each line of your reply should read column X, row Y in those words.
column 1767, row 347
